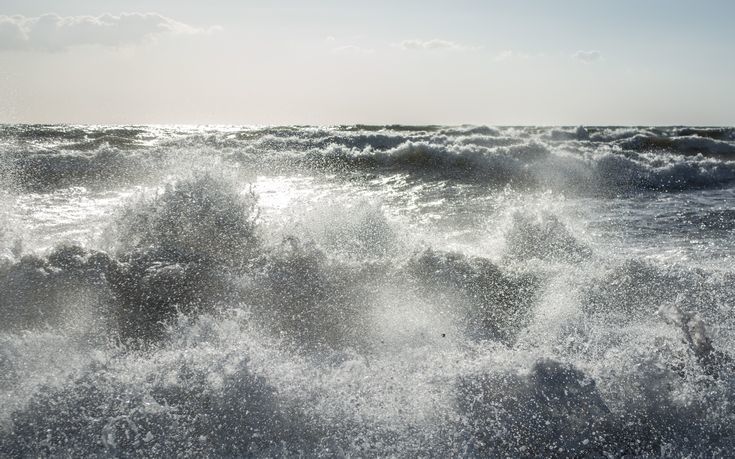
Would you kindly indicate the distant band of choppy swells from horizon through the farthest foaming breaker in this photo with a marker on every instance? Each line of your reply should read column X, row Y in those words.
column 590, row 160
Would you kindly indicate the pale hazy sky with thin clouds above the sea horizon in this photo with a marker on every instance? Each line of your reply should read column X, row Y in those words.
column 565, row 62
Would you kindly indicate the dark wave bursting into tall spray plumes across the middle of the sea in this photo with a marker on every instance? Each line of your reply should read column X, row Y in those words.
column 197, row 245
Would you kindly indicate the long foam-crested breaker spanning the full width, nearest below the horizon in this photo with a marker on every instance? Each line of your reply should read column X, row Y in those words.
column 523, row 166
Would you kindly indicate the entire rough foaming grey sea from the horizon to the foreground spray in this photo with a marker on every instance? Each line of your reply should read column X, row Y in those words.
column 367, row 291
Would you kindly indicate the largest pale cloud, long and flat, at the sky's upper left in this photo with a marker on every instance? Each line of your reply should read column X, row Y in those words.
column 51, row 32
